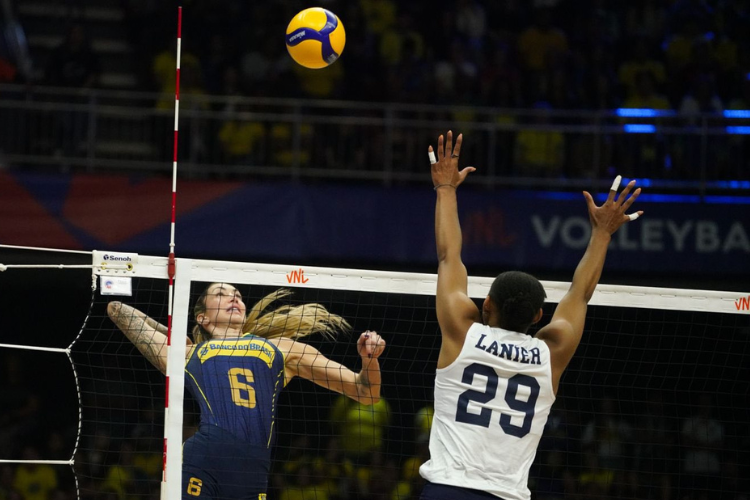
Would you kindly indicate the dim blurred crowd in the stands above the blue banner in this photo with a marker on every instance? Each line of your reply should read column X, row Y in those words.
column 548, row 56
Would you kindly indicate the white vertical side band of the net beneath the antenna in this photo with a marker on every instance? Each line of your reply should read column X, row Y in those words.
column 173, row 415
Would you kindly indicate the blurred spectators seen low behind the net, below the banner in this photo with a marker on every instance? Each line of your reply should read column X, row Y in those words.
column 595, row 449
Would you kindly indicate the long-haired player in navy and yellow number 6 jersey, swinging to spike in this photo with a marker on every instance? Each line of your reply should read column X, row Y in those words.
column 235, row 370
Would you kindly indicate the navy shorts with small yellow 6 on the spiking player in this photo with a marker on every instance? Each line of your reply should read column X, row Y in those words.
column 218, row 466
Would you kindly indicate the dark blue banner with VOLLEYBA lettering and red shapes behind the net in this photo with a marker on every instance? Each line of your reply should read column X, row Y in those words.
column 308, row 223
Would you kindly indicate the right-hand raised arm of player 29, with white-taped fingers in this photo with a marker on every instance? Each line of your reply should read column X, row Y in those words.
column 563, row 333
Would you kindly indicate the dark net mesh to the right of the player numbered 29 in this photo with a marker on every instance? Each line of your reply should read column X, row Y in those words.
column 653, row 405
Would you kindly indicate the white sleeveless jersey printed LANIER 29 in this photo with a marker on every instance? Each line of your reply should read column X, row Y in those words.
column 491, row 406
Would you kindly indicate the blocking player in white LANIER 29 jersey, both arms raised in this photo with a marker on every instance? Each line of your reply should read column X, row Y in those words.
column 495, row 384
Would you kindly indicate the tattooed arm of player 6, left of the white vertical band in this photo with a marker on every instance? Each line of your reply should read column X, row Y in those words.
column 146, row 334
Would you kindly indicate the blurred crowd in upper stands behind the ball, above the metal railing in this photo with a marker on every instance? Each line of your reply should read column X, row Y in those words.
column 687, row 55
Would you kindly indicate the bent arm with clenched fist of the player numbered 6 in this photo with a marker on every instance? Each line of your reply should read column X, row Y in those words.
column 307, row 362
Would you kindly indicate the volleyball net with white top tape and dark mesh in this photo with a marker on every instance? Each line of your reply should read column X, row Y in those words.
column 654, row 401
